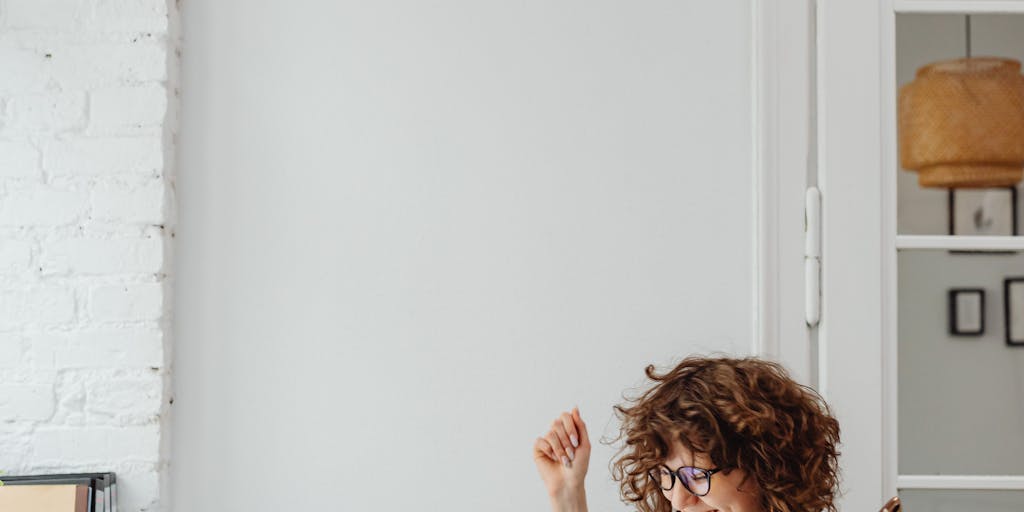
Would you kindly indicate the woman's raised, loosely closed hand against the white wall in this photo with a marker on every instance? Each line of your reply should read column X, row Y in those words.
column 563, row 456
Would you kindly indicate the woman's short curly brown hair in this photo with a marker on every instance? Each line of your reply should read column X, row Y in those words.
column 744, row 414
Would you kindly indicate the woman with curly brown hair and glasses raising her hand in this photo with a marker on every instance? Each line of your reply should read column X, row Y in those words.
column 713, row 435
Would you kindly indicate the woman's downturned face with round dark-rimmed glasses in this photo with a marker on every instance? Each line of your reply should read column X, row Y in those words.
column 726, row 494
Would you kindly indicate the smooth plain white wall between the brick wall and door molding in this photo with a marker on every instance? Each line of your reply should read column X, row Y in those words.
column 412, row 233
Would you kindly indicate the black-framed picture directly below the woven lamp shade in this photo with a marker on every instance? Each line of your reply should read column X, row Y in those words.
column 984, row 212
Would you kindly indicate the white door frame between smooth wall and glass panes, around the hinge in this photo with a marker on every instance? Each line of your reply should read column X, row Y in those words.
column 819, row 91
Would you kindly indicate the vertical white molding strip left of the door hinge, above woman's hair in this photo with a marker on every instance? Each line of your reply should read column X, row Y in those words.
column 783, row 119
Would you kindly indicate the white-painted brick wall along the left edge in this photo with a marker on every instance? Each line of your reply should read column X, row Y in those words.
column 88, row 120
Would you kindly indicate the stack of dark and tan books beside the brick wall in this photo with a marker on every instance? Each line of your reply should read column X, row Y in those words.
column 66, row 493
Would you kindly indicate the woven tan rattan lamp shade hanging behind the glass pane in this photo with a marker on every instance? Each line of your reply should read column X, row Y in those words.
column 962, row 123
